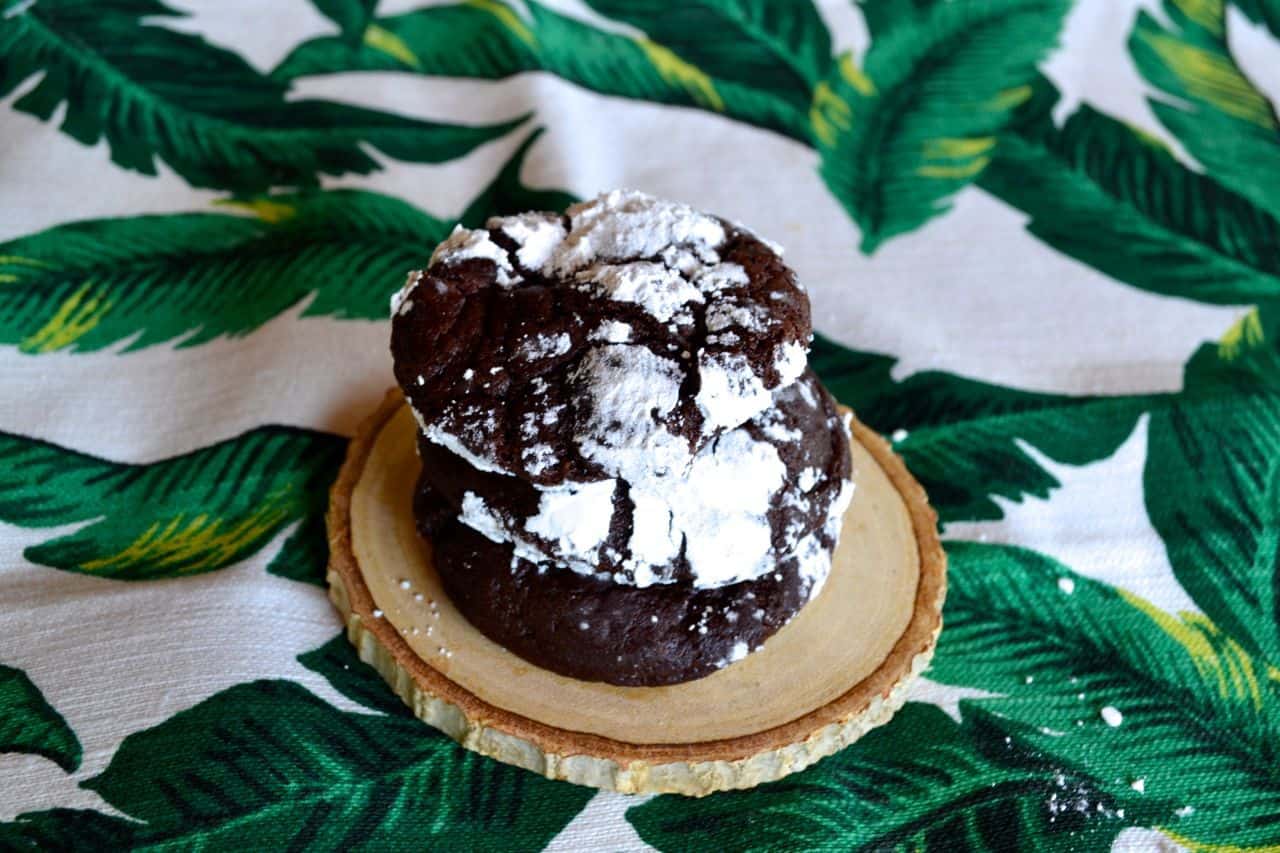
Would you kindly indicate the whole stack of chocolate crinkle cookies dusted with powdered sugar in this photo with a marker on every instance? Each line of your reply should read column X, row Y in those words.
column 629, row 472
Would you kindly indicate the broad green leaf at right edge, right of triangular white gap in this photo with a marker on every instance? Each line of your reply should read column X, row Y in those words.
column 1213, row 486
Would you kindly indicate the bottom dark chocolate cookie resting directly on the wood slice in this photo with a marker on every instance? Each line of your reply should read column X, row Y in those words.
column 597, row 631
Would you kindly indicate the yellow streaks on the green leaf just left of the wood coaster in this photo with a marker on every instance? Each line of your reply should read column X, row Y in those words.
column 191, row 546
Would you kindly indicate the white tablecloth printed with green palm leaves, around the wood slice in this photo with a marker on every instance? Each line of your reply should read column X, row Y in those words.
column 1043, row 243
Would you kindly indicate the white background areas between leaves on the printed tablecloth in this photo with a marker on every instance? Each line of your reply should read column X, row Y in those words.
column 971, row 293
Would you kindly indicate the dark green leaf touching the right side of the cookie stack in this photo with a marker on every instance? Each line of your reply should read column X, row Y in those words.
column 966, row 439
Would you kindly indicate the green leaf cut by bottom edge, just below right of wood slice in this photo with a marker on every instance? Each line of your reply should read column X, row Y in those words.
column 918, row 783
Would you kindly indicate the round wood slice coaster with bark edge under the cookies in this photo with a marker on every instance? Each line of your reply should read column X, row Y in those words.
column 839, row 669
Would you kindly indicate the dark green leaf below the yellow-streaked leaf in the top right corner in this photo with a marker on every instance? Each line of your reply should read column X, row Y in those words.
column 1121, row 203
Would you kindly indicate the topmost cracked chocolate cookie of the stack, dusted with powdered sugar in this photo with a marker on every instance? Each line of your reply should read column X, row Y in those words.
column 614, row 341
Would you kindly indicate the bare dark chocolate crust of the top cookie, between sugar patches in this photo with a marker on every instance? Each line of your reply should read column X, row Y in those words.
column 461, row 352
